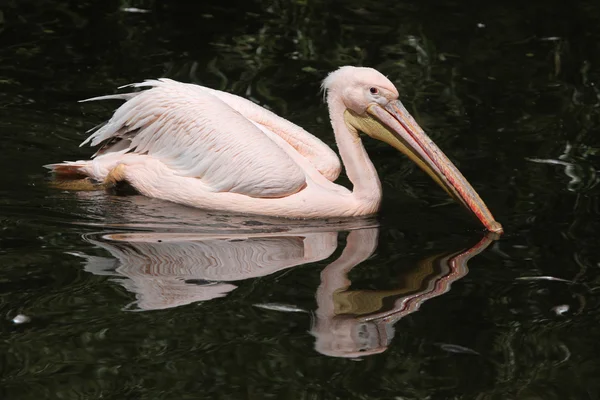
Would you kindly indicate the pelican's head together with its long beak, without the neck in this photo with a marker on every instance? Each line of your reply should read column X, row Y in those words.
column 372, row 107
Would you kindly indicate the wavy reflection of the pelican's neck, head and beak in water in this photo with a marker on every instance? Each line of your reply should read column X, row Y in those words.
column 358, row 323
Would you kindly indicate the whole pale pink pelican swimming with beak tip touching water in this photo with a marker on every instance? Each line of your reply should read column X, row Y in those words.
column 210, row 149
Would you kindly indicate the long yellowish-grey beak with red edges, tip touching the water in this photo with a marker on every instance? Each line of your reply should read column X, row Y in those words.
column 406, row 135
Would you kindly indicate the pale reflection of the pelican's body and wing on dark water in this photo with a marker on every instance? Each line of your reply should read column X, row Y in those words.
column 171, row 269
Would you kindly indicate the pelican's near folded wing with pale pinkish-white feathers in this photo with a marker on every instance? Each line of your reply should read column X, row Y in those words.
column 198, row 135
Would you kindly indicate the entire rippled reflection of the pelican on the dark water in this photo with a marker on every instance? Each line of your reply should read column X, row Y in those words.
column 168, row 269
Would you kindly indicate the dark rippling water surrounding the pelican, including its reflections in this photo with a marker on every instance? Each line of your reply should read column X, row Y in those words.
column 130, row 298
